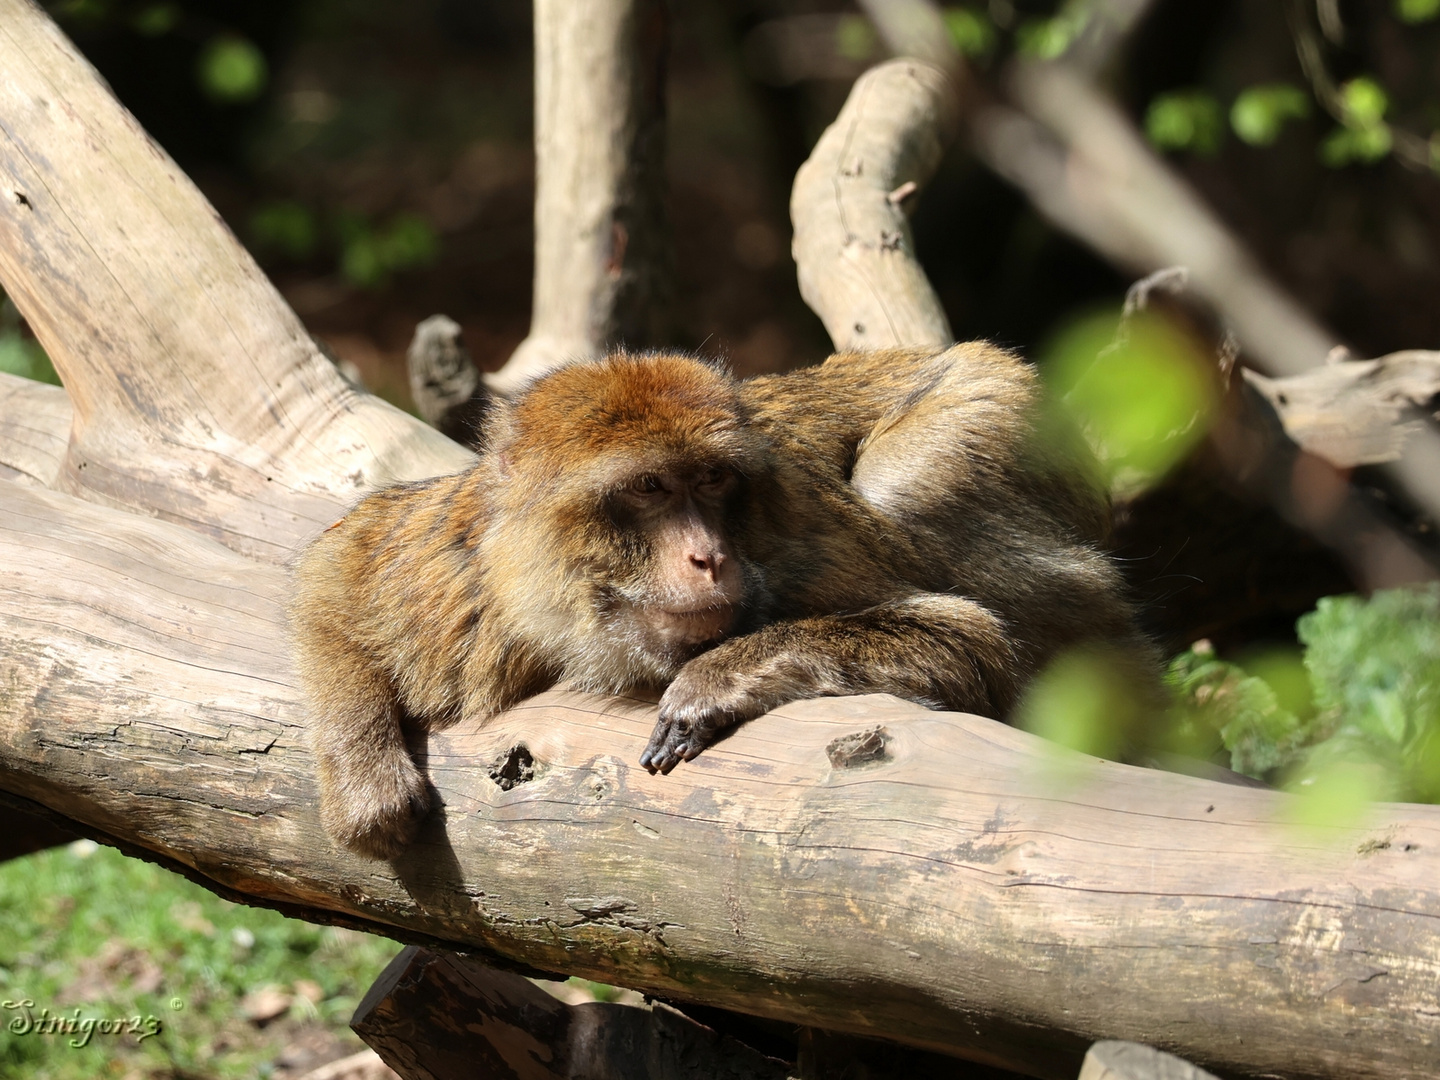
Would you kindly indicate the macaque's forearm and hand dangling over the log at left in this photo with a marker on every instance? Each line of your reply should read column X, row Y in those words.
column 372, row 796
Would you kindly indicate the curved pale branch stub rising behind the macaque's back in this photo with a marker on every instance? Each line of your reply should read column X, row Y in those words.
column 855, row 254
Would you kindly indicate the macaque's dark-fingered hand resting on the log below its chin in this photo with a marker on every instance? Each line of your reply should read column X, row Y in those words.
column 714, row 692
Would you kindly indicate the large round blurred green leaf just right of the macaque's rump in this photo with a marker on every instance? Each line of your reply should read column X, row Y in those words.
column 1143, row 397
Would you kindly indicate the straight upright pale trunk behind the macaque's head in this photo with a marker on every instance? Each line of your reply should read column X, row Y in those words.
column 601, row 241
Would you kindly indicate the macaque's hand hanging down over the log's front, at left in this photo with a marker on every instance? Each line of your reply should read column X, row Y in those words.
column 377, row 807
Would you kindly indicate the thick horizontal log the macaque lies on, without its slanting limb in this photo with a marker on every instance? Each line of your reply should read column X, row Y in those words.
column 970, row 891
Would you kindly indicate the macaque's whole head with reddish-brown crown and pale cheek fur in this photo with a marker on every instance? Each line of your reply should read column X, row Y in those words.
column 618, row 492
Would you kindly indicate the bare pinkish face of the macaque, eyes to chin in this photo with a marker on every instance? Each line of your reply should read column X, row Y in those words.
column 678, row 582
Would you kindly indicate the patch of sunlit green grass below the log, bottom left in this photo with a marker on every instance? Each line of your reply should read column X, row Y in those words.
column 87, row 931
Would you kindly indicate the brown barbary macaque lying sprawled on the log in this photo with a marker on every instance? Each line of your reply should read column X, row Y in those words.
column 882, row 523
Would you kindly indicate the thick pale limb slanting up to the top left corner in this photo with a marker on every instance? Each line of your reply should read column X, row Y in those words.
column 197, row 392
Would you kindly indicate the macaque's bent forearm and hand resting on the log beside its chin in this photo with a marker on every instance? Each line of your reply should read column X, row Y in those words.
column 938, row 650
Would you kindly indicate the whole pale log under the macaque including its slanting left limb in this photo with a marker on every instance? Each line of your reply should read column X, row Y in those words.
column 971, row 891
